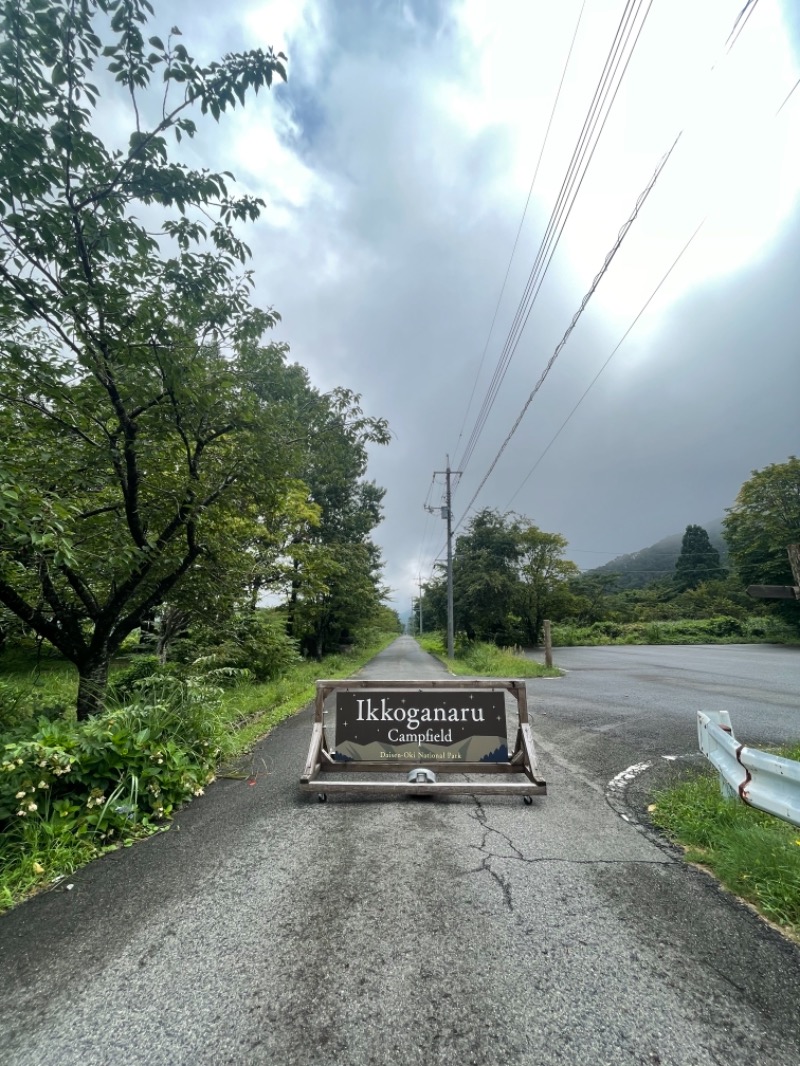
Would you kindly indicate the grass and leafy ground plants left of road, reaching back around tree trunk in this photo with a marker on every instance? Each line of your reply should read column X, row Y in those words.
column 71, row 792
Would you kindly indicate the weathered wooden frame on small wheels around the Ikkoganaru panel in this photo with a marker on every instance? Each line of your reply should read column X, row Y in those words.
column 323, row 769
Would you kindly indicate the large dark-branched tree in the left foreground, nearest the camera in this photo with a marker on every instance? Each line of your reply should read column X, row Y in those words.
column 129, row 415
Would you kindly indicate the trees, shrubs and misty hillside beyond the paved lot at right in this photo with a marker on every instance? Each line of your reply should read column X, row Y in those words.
column 509, row 576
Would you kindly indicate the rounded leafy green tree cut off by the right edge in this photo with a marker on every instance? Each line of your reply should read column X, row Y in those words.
column 763, row 523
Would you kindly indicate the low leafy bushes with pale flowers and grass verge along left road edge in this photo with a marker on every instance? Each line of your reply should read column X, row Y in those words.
column 117, row 778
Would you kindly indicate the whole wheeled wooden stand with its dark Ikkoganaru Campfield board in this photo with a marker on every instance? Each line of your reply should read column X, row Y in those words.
column 452, row 726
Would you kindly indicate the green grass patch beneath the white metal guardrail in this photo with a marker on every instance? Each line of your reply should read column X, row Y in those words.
column 755, row 855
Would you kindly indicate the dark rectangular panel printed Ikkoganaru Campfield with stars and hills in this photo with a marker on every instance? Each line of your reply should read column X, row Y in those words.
column 458, row 726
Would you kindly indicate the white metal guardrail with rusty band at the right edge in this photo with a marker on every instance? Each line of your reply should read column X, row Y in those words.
column 767, row 782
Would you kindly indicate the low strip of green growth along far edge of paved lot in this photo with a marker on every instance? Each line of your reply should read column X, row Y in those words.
column 721, row 631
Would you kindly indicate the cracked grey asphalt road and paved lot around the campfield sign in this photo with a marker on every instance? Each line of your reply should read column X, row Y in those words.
column 266, row 928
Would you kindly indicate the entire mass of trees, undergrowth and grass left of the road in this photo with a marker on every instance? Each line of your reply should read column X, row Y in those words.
column 166, row 470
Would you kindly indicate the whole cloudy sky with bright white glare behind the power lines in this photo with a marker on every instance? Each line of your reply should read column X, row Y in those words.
column 396, row 165
